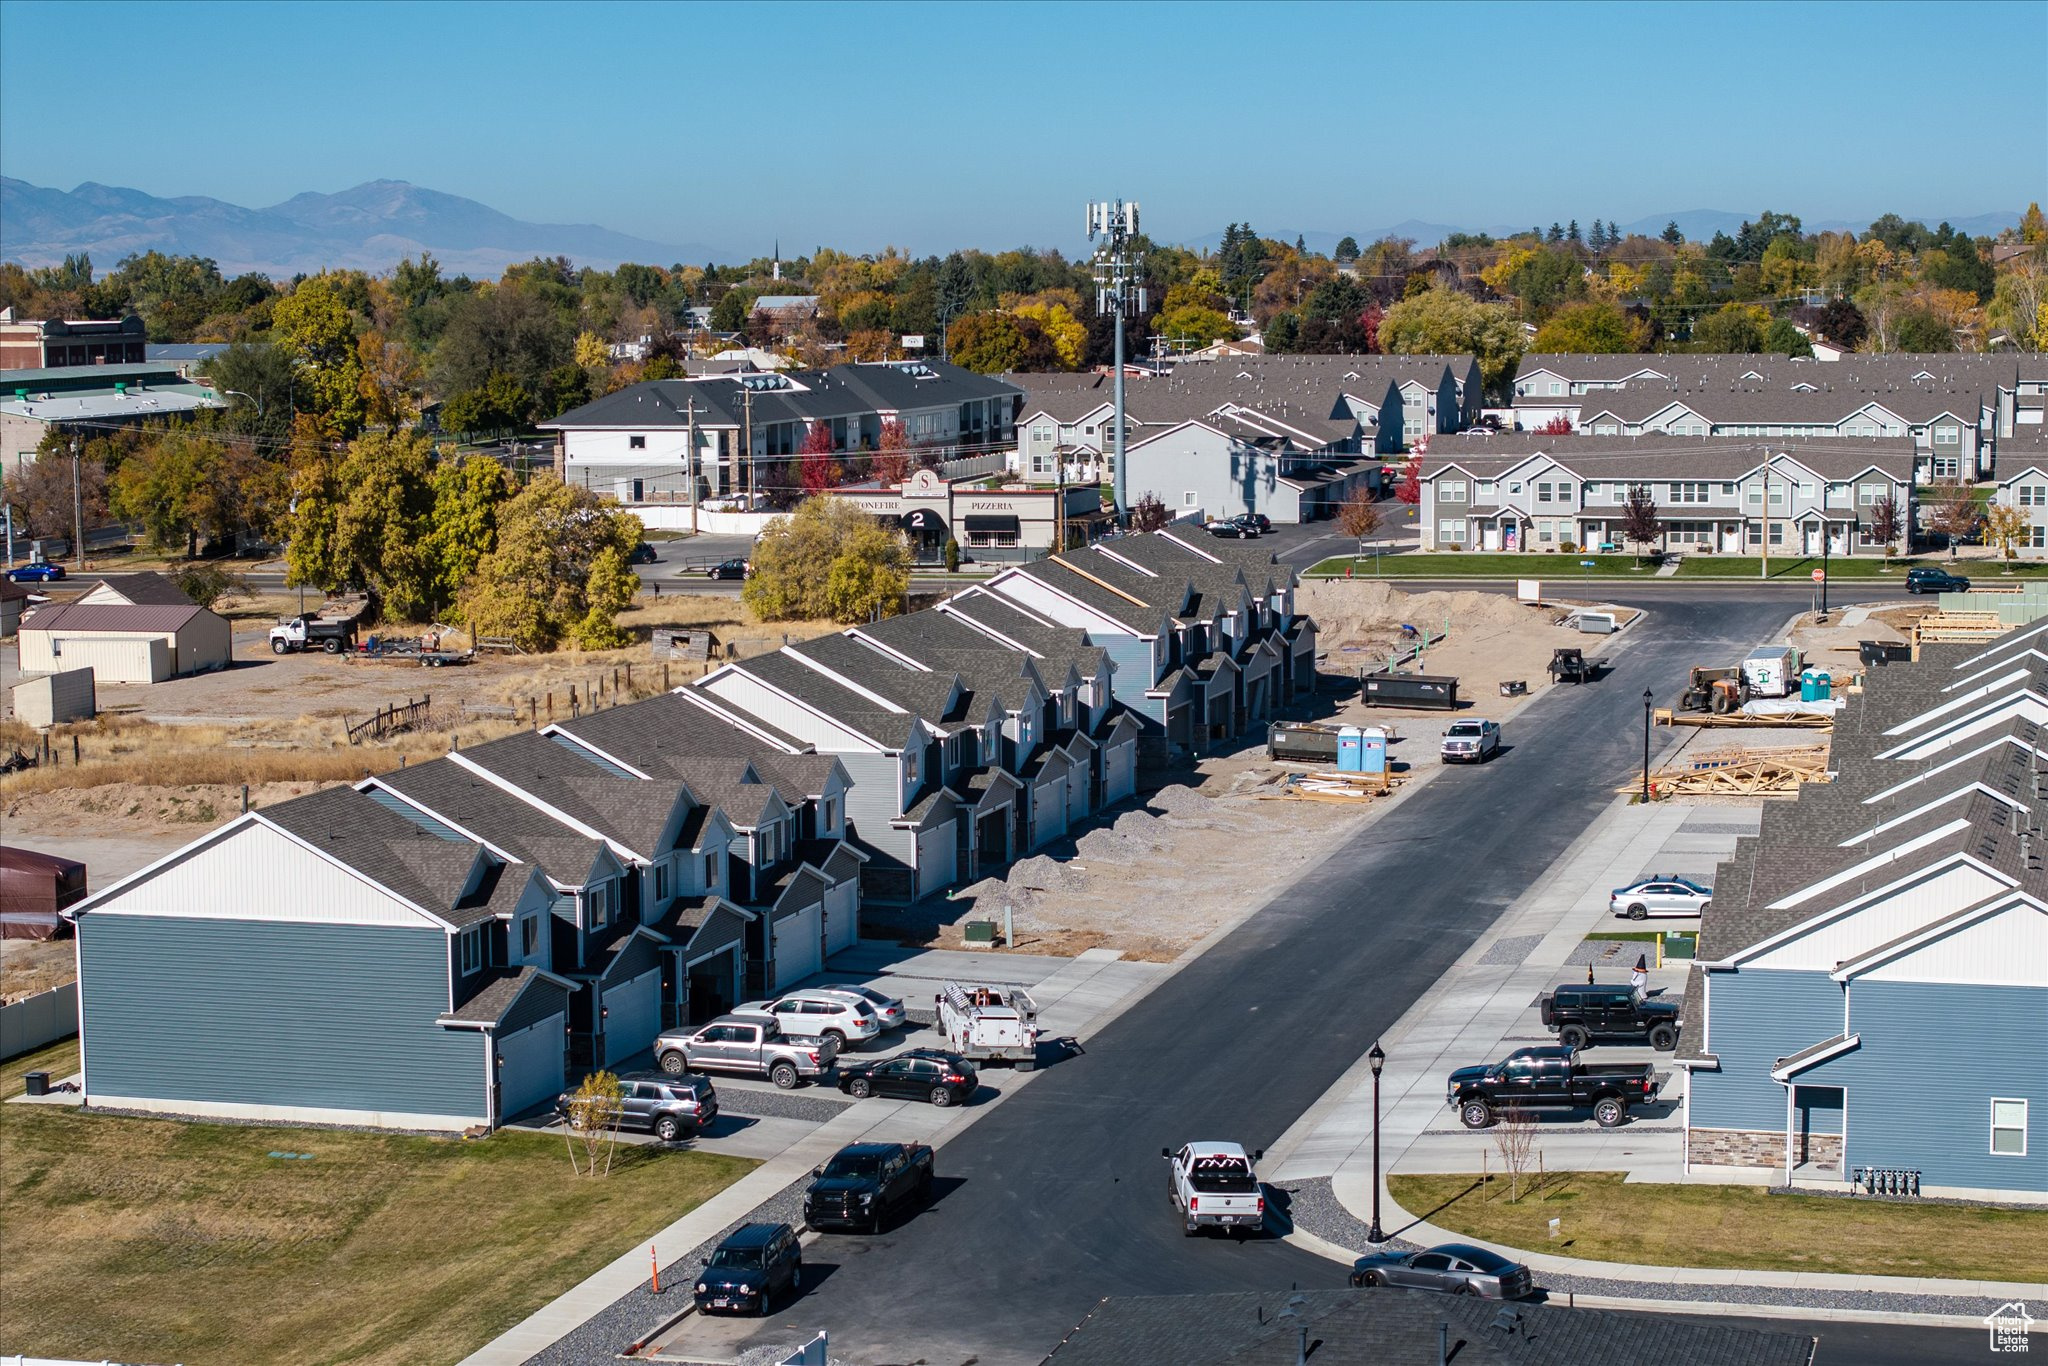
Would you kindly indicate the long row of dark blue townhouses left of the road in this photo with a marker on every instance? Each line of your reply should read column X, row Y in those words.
column 447, row 945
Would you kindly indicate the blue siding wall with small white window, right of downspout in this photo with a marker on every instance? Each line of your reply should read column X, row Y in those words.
column 1922, row 1082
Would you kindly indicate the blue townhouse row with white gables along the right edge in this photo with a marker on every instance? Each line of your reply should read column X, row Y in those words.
column 1873, row 974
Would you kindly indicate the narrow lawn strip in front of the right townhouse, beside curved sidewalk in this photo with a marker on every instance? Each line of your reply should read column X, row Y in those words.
column 1736, row 1228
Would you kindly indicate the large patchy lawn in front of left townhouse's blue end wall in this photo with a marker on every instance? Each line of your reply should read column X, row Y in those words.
column 159, row 1240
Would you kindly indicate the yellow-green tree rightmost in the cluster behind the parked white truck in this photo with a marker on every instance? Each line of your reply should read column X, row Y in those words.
column 536, row 585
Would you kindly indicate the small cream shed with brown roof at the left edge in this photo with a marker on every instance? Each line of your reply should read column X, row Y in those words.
column 124, row 642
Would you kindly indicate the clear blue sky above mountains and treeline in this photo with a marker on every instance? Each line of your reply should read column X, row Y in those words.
column 990, row 126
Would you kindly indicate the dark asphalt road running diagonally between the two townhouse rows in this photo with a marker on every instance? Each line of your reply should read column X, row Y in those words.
column 1060, row 1197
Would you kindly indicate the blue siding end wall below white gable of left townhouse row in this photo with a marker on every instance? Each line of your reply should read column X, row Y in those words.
column 273, row 1015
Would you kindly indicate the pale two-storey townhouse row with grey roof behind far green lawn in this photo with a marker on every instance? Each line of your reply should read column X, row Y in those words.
column 1531, row 493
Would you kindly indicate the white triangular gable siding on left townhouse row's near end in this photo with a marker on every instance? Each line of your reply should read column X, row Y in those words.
column 216, row 882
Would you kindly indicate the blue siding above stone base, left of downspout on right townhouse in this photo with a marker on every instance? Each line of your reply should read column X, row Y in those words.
column 1756, row 1019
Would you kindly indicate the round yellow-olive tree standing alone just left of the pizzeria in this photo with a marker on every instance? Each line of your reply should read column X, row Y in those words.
column 828, row 560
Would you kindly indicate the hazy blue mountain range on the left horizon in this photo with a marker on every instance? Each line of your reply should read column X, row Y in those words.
column 368, row 228
